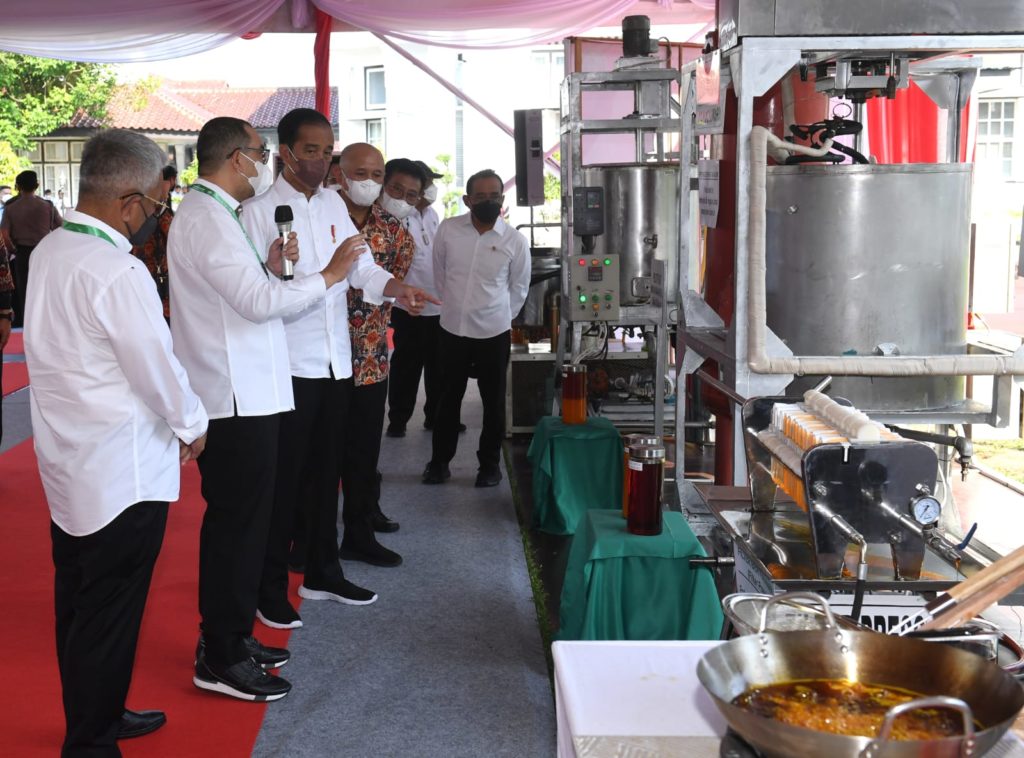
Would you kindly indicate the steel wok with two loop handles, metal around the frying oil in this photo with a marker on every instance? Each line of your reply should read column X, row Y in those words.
column 979, row 689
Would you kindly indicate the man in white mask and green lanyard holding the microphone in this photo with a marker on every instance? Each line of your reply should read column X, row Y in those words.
column 228, row 328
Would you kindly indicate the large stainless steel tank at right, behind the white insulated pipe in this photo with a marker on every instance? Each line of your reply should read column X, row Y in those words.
column 872, row 261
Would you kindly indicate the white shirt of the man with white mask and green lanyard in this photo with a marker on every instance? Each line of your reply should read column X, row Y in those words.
column 227, row 311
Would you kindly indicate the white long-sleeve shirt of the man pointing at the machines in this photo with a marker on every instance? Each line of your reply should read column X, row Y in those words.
column 318, row 336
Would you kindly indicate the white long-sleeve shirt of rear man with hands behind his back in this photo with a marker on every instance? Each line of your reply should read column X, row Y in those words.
column 483, row 280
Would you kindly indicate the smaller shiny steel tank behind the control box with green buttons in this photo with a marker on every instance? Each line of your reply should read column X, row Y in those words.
column 642, row 224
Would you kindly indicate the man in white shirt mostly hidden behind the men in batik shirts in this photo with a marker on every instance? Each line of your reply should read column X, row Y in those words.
column 416, row 339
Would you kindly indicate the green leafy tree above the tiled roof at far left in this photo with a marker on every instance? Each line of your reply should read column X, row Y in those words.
column 38, row 96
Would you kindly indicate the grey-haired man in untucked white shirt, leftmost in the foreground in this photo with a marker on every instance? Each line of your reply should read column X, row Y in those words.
column 113, row 415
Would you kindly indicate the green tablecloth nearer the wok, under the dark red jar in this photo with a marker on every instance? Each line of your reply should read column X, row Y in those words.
column 623, row 586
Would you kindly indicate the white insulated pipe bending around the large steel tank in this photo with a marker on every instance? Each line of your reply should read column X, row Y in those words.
column 759, row 360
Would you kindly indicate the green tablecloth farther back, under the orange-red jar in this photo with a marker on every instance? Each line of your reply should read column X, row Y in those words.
column 576, row 468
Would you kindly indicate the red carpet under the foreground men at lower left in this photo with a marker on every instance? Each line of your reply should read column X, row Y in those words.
column 31, row 719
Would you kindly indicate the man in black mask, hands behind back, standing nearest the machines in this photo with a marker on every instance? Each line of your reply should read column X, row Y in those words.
column 482, row 271
